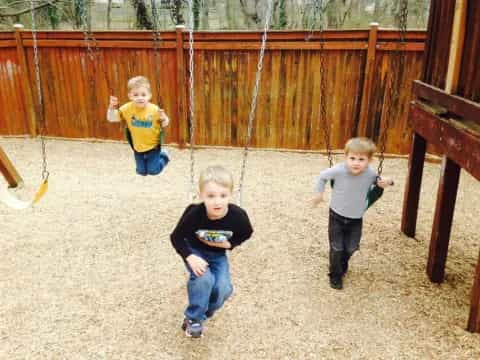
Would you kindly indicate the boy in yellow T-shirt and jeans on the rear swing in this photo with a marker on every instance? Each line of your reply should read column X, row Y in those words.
column 145, row 122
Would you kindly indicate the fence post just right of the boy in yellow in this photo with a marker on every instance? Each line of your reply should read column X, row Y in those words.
column 182, row 84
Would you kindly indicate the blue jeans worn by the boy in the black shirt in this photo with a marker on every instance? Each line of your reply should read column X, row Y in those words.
column 208, row 293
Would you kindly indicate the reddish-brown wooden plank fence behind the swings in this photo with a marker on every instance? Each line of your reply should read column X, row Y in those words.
column 75, row 86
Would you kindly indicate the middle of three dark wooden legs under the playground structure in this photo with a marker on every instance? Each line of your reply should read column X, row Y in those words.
column 442, row 222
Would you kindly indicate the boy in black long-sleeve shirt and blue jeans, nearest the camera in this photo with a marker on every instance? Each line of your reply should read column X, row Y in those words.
column 201, row 237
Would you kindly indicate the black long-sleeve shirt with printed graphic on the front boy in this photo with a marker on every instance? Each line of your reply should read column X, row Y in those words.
column 195, row 218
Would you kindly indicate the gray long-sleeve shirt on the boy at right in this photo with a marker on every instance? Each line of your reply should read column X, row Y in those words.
column 349, row 193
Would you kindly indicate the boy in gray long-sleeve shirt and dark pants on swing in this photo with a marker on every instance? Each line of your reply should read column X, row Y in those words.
column 352, row 181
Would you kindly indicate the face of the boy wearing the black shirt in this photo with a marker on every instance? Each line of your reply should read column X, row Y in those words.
column 216, row 198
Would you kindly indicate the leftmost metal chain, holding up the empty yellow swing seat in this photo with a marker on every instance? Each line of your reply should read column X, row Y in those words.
column 45, row 172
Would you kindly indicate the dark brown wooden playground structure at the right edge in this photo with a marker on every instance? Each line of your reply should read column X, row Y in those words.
column 446, row 114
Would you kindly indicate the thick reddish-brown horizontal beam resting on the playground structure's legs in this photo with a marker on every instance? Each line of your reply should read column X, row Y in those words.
column 457, row 144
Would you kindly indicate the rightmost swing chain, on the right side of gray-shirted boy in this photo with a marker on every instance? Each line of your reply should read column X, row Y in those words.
column 398, row 66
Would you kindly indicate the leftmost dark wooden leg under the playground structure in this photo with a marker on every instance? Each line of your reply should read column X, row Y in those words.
column 411, row 196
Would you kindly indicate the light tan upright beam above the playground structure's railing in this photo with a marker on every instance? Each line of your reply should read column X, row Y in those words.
column 456, row 47
